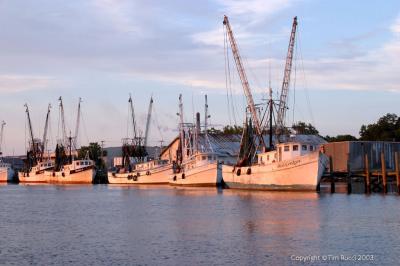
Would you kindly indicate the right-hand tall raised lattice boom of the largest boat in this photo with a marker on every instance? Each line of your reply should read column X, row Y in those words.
column 286, row 81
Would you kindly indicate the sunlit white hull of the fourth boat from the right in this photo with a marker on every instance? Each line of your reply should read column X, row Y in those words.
column 85, row 176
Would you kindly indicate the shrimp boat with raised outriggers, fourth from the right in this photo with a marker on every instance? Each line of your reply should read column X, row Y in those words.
column 67, row 169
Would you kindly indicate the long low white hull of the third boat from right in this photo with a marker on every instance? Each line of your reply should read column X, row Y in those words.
column 155, row 176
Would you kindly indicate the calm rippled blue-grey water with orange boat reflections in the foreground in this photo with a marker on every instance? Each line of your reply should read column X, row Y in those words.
column 104, row 225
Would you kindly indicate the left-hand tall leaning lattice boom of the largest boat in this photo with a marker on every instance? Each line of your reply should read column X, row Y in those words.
column 245, row 83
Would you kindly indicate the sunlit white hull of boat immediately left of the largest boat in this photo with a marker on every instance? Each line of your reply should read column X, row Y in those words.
column 205, row 175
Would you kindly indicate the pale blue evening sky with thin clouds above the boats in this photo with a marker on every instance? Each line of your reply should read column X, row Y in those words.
column 346, row 69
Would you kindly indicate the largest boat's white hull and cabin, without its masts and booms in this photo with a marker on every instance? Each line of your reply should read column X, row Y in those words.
column 296, row 164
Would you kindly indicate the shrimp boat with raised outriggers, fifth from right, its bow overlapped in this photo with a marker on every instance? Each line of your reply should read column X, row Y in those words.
column 35, row 164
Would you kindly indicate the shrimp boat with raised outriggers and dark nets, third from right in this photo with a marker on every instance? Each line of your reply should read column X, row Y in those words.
column 136, row 167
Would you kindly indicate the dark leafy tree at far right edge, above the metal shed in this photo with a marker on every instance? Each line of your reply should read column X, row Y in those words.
column 387, row 128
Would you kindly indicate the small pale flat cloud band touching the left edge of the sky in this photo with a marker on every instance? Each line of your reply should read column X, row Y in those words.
column 19, row 83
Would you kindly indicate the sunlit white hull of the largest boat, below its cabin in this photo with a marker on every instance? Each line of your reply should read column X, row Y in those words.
column 302, row 174
